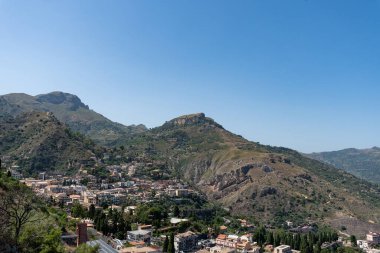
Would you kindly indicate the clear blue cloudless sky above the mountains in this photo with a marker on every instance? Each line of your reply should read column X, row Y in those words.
column 303, row 74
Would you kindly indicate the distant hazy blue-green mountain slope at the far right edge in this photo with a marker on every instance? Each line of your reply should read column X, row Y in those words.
column 363, row 163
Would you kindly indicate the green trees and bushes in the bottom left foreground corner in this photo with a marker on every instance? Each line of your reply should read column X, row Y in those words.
column 26, row 223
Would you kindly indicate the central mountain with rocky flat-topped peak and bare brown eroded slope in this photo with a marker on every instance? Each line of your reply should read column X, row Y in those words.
column 271, row 183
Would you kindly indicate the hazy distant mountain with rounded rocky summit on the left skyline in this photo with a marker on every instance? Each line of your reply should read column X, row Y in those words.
column 69, row 109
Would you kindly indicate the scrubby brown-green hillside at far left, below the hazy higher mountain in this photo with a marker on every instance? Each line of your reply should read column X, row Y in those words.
column 38, row 142
